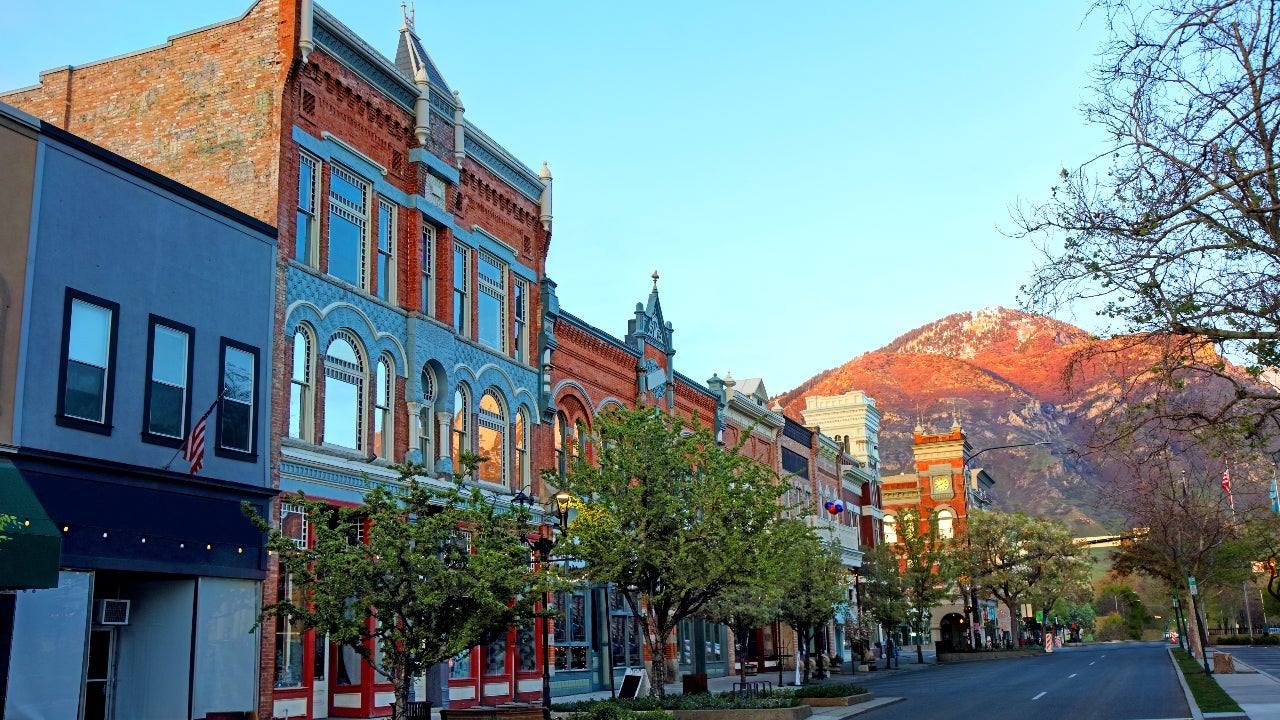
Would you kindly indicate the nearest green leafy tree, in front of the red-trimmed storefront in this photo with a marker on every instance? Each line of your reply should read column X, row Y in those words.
column 438, row 569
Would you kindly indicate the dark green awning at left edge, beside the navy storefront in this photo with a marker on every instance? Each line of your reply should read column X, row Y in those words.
column 33, row 548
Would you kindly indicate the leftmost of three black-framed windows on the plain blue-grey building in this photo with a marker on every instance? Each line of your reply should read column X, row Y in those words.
column 88, row 371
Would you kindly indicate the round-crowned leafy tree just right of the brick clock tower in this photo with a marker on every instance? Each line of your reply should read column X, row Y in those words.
column 1020, row 559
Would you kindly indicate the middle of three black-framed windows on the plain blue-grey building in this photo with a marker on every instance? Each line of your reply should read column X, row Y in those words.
column 168, row 395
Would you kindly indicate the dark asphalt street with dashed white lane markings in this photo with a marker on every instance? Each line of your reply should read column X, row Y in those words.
column 1110, row 681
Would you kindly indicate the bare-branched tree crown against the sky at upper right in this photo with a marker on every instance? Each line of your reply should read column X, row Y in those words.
column 1176, row 230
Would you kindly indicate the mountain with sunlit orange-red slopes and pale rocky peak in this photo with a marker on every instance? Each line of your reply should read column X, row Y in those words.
column 1002, row 373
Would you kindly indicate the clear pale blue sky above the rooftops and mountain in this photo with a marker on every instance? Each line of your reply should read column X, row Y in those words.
column 810, row 179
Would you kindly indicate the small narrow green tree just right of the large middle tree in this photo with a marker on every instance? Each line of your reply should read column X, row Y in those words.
column 812, row 587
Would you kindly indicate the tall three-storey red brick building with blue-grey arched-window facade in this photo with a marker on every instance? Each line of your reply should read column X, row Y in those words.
column 412, row 259
